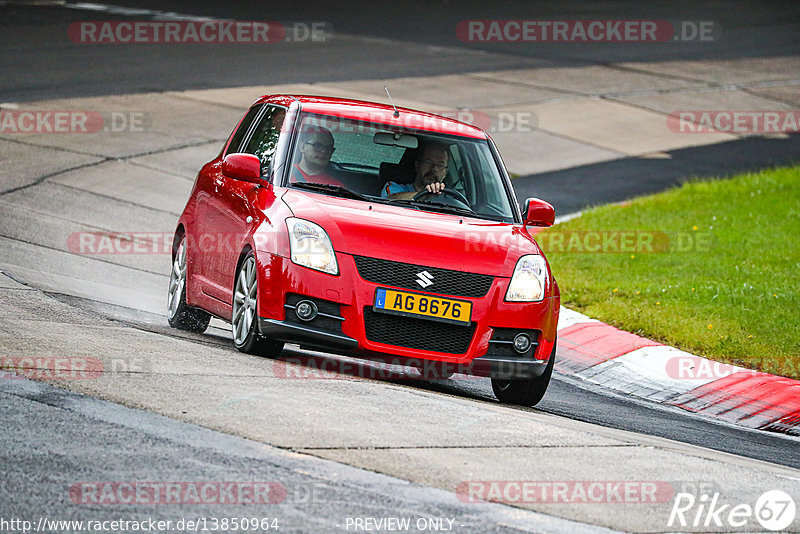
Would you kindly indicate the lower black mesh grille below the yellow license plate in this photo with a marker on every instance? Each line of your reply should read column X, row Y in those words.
column 415, row 333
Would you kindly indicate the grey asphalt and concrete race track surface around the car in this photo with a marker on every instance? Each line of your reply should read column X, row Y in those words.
column 355, row 443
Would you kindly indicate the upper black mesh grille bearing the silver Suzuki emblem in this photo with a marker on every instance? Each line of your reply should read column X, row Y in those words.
column 405, row 275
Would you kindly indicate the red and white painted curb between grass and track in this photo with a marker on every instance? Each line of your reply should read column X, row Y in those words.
column 643, row 368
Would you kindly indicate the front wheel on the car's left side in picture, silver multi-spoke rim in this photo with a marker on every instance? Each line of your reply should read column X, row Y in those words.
column 244, row 319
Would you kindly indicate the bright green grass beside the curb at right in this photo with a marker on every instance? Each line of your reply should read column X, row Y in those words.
column 722, row 281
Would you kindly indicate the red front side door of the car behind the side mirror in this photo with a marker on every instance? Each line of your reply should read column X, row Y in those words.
column 232, row 212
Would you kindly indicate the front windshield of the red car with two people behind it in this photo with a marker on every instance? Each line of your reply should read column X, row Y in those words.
column 338, row 156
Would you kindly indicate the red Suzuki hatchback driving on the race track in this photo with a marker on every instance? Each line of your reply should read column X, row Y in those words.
column 364, row 229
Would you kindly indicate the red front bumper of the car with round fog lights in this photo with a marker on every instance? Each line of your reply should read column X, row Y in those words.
column 347, row 300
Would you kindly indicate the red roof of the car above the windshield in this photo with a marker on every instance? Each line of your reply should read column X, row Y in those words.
column 361, row 110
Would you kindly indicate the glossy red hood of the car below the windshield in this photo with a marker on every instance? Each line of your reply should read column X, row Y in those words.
column 413, row 236
